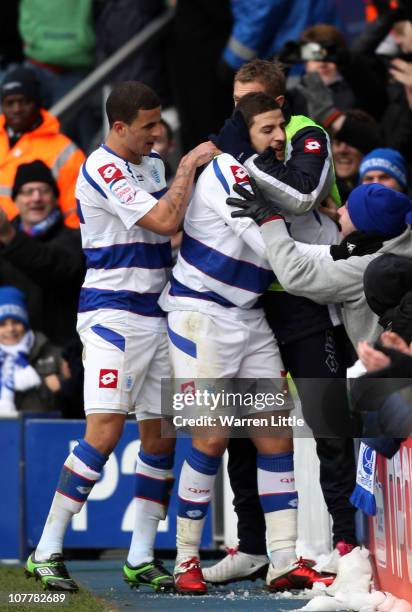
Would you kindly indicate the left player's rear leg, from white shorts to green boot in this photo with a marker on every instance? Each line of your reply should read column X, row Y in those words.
column 154, row 475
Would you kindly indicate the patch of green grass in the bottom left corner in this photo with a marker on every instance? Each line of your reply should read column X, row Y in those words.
column 13, row 580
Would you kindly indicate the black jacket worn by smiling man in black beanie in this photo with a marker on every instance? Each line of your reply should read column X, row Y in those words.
column 50, row 271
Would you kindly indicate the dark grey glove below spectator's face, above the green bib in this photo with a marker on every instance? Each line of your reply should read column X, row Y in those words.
column 319, row 98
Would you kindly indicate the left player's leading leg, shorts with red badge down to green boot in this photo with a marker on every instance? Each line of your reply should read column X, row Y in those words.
column 106, row 408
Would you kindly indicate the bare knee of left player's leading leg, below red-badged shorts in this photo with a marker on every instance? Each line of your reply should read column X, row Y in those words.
column 103, row 431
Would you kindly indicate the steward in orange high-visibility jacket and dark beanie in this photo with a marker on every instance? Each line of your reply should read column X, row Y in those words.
column 28, row 132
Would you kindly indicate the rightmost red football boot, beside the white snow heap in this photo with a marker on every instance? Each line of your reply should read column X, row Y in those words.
column 297, row 575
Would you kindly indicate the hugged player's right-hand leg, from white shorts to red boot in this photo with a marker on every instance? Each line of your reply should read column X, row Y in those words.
column 275, row 468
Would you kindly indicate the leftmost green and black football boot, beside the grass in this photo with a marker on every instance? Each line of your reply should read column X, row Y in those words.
column 52, row 573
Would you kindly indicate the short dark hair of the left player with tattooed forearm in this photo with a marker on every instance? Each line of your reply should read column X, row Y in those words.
column 127, row 98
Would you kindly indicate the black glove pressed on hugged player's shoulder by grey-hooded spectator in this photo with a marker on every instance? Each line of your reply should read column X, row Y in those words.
column 253, row 205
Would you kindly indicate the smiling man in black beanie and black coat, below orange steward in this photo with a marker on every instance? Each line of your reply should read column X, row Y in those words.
column 40, row 255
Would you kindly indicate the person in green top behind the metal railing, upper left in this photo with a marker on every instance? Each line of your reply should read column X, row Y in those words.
column 59, row 45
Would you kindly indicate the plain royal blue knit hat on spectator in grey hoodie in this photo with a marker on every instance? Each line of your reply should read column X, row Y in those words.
column 375, row 208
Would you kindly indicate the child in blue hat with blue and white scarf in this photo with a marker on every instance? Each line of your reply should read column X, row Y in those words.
column 29, row 364
